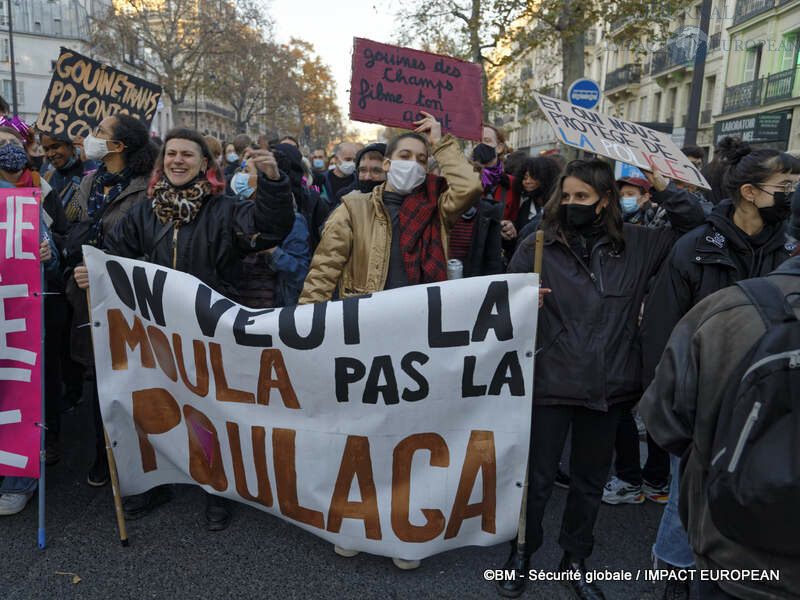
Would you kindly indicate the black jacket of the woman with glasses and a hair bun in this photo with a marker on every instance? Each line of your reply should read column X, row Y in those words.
column 713, row 256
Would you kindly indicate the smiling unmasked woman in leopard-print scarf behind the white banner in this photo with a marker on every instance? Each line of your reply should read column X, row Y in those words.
column 187, row 224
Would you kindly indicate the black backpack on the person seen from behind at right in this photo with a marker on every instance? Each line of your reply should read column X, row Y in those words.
column 754, row 480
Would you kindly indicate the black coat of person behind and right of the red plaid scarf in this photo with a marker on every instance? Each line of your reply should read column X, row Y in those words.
column 485, row 256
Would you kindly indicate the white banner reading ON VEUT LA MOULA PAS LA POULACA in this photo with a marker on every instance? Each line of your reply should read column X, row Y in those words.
column 396, row 424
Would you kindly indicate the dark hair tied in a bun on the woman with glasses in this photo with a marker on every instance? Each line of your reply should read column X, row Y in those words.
column 744, row 165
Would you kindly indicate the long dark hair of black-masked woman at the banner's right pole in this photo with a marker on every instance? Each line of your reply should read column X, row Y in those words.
column 600, row 176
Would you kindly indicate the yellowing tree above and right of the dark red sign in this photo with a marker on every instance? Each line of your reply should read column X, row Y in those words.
column 493, row 33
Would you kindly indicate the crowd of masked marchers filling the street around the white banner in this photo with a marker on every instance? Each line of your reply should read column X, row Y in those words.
column 667, row 313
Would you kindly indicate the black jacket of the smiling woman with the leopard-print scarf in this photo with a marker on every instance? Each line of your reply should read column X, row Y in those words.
column 225, row 230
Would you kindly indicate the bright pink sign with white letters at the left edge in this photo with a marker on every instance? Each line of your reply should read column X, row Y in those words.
column 20, row 332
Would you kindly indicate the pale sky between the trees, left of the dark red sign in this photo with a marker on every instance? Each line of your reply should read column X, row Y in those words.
column 331, row 27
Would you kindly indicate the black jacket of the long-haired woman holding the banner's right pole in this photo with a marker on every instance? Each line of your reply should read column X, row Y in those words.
column 588, row 348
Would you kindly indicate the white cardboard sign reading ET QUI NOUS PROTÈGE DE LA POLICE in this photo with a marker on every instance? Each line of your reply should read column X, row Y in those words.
column 619, row 139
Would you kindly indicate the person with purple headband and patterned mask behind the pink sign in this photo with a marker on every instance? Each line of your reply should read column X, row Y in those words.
column 15, row 173
